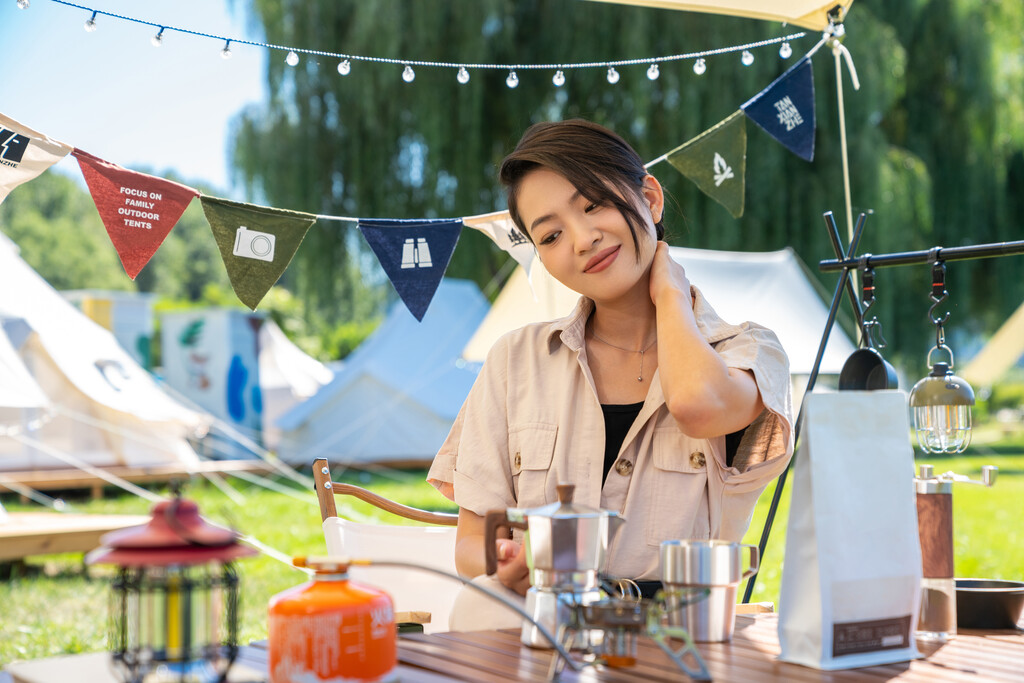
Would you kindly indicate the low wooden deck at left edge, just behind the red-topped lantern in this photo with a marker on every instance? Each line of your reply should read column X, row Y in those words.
column 27, row 534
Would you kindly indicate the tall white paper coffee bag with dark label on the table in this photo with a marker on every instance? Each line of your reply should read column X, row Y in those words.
column 851, row 579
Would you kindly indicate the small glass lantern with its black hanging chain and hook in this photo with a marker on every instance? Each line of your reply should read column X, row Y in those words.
column 942, row 403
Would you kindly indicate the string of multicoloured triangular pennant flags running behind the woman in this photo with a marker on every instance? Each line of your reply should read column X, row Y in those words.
column 258, row 244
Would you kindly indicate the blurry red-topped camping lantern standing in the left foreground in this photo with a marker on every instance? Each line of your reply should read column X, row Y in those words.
column 175, row 604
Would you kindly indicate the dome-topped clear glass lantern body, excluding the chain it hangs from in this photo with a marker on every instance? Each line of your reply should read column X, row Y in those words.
column 942, row 406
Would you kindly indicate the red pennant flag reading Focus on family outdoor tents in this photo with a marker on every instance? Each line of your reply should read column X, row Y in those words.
column 138, row 210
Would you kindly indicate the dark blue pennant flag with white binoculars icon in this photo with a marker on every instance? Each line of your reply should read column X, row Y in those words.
column 415, row 255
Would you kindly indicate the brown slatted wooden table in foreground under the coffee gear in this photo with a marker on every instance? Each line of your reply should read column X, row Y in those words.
column 752, row 656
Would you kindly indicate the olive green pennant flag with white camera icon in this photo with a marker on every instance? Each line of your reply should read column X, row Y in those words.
column 257, row 243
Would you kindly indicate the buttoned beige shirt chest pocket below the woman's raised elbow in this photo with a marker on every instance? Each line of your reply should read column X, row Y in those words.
column 678, row 506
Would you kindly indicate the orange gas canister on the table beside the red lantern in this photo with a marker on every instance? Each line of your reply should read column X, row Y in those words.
column 331, row 630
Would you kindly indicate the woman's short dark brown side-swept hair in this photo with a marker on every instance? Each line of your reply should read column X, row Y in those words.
column 595, row 160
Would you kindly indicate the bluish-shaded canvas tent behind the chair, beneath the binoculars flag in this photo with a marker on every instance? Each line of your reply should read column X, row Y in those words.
column 400, row 392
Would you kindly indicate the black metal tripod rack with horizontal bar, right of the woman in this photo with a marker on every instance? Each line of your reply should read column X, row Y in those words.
column 844, row 264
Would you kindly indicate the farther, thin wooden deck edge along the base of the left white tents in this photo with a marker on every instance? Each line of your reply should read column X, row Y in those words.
column 61, row 480
